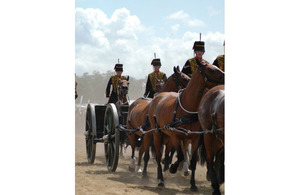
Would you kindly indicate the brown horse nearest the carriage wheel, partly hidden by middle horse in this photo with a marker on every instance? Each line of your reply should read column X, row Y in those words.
column 137, row 118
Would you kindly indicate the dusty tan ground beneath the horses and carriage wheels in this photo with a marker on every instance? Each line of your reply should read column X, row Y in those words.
column 95, row 179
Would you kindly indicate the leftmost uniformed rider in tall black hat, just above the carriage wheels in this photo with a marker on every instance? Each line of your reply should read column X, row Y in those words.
column 114, row 81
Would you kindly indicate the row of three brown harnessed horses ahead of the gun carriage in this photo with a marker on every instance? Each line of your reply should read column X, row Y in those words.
column 186, row 110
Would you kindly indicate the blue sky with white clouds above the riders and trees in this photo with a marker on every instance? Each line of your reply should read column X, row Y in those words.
column 132, row 31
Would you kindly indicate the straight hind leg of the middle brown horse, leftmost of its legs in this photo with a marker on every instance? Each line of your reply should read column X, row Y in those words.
column 157, row 145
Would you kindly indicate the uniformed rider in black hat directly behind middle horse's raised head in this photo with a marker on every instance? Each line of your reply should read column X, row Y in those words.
column 191, row 64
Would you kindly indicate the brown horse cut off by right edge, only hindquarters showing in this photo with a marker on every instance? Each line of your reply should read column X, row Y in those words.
column 211, row 117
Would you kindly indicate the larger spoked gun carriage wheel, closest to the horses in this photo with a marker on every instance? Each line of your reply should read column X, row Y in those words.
column 111, row 145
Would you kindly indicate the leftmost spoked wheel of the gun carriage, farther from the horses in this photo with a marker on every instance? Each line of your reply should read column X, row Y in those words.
column 90, row 127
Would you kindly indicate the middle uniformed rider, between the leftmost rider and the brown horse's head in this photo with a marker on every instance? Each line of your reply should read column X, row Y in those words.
column 153, row 77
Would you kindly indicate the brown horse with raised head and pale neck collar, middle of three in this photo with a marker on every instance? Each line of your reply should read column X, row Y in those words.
column 184, row 108
